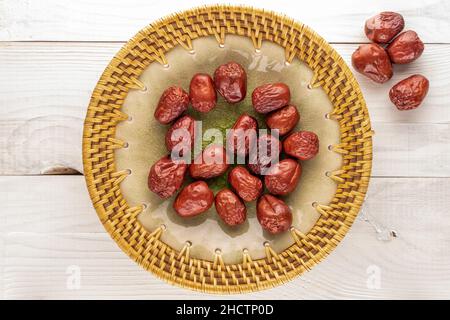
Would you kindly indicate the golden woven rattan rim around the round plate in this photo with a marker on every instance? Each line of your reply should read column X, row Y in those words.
column 151, row 45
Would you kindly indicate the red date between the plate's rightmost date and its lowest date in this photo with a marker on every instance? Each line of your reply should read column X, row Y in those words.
column 283, row 177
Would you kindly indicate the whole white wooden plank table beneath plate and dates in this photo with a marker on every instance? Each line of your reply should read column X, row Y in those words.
column 51, row 242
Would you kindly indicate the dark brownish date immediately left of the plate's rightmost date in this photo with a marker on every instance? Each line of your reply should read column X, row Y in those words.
column 260, row 165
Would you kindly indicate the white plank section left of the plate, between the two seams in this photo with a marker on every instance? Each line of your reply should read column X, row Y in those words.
column 45, row 95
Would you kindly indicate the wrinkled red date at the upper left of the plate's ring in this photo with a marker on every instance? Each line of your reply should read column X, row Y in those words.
column 173, row 102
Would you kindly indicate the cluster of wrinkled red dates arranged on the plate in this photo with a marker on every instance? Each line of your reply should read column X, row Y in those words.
column 246, row 182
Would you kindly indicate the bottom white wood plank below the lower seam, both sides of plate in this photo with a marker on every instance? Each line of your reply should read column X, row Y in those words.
column 39, row 258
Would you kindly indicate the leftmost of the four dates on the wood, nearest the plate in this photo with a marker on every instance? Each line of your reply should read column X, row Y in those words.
column 372, row 61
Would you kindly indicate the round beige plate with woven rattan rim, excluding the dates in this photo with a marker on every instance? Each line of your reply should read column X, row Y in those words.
column 122, row 140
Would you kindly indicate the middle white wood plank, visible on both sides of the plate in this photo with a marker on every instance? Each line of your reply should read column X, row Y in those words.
column 46, row 87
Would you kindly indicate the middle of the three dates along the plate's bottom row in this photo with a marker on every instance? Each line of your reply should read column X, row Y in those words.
column 230, row 208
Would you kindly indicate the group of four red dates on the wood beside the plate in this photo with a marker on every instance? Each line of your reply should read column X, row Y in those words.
column 374, row 60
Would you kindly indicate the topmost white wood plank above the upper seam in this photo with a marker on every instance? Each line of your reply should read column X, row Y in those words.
column 105, row 20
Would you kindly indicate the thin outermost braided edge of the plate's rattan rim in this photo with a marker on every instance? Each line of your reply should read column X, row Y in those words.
column 93, row 108
